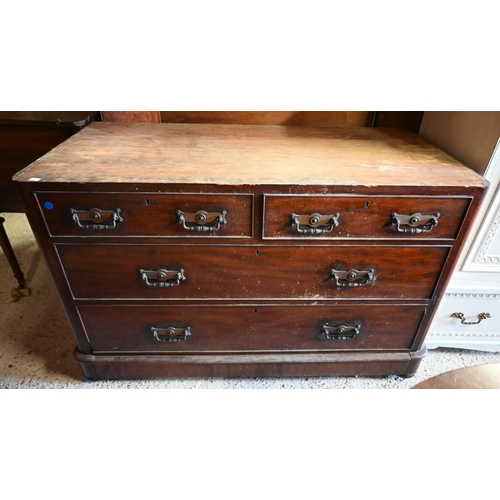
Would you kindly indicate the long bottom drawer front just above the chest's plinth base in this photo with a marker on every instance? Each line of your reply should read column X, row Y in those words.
column 136, row 328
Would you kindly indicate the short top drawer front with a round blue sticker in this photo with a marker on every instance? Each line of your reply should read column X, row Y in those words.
column 147, row 214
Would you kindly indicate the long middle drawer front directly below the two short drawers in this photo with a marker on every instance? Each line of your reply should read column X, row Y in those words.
column 247, row 272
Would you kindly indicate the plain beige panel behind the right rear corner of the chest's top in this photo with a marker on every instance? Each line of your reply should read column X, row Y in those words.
column 469, row 136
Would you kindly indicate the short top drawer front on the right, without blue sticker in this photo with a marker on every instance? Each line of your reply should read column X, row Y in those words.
column 394, row 217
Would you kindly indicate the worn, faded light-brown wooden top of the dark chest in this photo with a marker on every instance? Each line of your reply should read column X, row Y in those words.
column 237, row 154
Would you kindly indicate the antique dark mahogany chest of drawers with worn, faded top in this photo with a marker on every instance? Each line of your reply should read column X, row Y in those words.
column 213, row 250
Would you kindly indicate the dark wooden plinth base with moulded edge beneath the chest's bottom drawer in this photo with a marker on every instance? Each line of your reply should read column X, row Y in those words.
column 404, row 364
